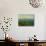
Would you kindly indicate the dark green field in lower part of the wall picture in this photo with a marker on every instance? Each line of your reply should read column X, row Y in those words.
column 26, row 22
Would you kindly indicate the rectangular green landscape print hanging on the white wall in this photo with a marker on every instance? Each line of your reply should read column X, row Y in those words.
column 26, row 20
